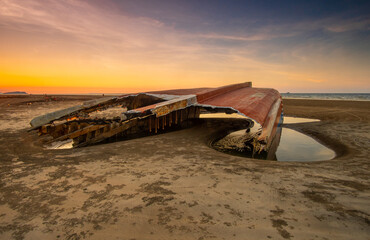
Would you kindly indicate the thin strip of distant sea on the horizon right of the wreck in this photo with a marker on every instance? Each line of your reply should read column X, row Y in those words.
column 329, row 96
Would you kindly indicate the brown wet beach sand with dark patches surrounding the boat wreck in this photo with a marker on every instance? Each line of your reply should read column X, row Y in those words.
column 173, row 186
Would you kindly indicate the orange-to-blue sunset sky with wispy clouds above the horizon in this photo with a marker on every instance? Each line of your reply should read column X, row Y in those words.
column 121, row 46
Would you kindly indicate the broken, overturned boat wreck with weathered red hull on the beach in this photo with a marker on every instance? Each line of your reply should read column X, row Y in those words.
column 141, row 114
